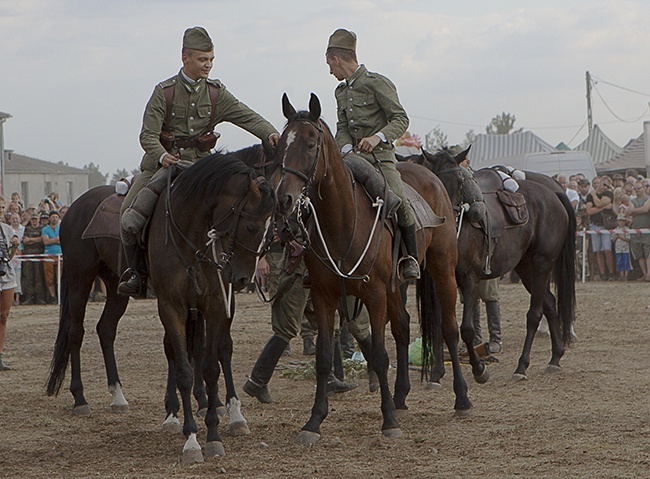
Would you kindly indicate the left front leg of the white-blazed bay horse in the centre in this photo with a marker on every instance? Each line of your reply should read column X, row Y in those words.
column 324, row 312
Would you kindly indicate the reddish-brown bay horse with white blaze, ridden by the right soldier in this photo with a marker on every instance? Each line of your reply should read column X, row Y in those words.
column 312, row 173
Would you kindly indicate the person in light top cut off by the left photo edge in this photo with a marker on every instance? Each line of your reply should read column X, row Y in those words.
column 8, row 245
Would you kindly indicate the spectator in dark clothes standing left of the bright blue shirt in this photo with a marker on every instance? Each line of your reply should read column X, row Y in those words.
column 33, row 284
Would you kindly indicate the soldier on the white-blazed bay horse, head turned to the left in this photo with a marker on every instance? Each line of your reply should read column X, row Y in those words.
column 370, row 119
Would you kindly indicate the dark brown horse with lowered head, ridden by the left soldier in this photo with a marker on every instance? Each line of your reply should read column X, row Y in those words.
column 227, row 199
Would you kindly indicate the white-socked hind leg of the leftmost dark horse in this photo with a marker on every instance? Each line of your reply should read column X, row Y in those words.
column 106, row 330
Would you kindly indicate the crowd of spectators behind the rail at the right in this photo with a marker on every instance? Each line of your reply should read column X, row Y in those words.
column 610, row 210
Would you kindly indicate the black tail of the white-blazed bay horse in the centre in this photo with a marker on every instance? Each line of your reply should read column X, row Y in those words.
column 430, row 314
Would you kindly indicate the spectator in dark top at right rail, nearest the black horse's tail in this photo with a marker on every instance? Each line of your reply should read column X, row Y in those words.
column 599, row 200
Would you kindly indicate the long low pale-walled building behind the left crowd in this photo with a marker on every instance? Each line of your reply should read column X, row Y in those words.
column 34, row 179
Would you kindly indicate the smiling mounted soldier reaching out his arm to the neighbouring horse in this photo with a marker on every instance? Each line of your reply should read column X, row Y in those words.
column 178, row 124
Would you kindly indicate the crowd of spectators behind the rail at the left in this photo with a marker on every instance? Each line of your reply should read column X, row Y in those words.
column 37, row 229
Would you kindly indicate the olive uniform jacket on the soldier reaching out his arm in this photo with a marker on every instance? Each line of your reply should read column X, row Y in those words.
column 190, row 117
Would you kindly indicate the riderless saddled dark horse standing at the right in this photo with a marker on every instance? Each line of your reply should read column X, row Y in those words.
column 540, row 251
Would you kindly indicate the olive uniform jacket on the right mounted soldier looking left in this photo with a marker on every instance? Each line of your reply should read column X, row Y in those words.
column 367, row 103
